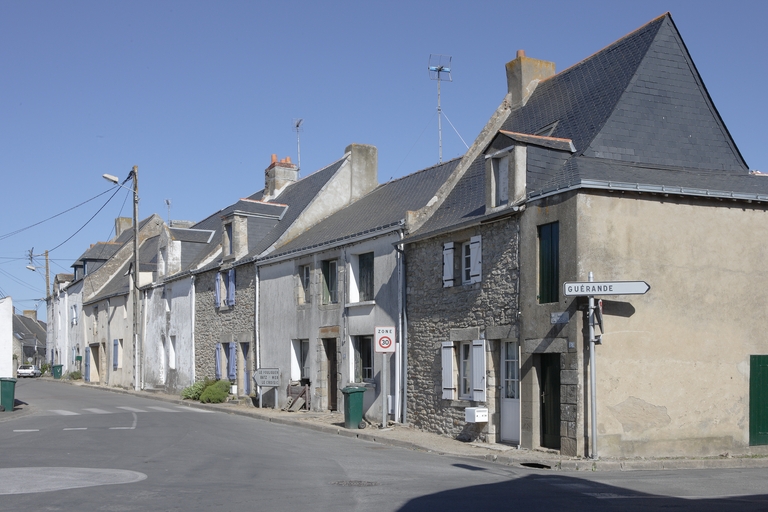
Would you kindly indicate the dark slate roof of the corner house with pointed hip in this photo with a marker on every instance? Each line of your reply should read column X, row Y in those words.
column 639, row 118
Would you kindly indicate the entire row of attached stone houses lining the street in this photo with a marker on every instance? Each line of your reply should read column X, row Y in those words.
column 619, row 167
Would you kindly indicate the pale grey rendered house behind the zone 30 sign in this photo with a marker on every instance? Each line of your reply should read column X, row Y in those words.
column 323, row 294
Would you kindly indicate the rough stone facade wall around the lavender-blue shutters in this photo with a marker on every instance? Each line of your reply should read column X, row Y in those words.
column 224, row 324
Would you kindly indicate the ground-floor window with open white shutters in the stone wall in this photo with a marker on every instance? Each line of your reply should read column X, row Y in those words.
column 470, row 379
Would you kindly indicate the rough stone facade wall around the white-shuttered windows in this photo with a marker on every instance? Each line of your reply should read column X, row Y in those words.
column 434, row 312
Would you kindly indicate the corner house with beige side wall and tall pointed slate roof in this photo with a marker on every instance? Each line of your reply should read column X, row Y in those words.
column 621, row 167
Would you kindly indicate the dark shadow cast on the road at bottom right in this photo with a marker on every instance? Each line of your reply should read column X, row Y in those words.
column 559, row 492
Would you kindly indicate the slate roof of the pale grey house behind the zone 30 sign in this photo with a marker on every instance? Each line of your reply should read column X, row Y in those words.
column 382, row 208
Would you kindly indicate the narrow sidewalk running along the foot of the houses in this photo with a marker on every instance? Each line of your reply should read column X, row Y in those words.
column 408, row 437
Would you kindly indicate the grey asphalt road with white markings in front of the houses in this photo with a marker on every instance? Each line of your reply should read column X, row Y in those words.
column 86, row 449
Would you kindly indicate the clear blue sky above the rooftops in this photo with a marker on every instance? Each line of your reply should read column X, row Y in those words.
column 200, row 94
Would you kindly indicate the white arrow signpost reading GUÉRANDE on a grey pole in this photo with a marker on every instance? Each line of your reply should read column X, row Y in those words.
column 590, row 289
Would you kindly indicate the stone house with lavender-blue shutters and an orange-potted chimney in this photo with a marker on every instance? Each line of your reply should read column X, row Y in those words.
column 226, row 285
